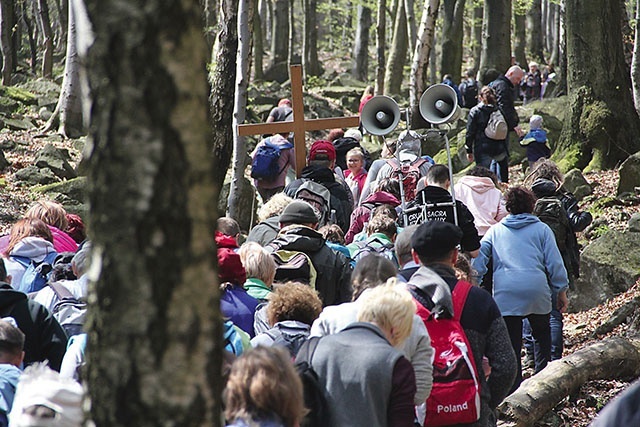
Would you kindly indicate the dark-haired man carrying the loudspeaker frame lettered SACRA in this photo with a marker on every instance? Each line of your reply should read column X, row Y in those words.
column 436, row 202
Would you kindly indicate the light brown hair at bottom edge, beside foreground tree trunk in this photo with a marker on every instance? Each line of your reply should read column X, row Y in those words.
column 263, row 382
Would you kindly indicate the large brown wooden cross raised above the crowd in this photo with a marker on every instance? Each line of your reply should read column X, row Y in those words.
column 299, row 125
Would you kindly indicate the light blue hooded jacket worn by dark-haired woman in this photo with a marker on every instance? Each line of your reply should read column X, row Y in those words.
column 527, row 265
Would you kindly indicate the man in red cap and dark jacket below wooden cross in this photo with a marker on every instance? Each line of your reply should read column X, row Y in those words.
column 320, row 166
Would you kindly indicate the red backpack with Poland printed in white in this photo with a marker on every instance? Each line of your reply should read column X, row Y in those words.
column 455, row 396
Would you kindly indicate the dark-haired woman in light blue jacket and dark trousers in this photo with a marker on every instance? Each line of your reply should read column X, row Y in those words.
column 527, row 272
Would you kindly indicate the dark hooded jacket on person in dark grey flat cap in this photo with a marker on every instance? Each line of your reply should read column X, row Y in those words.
column 333, row 281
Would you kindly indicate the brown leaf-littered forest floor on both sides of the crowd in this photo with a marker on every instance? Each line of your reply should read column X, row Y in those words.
column 576, row 411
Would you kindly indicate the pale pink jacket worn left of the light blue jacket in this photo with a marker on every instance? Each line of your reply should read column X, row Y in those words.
column 483, row 199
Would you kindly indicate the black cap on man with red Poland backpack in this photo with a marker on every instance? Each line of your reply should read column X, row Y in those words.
column 435, row 239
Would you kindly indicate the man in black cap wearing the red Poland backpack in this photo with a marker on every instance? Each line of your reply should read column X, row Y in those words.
column 435, row 248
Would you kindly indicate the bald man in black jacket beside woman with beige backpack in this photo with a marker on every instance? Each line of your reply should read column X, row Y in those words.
column 506, row 88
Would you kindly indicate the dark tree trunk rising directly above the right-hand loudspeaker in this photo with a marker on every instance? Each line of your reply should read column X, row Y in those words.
column 452, row 34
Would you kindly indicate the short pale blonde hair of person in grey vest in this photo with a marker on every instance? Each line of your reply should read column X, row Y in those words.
column 390, row 307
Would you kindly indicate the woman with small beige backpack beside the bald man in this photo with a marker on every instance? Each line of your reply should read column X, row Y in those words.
column 485, row 151
